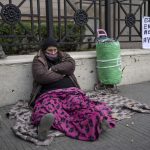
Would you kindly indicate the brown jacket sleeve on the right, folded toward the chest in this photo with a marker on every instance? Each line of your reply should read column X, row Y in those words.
column 66, row 66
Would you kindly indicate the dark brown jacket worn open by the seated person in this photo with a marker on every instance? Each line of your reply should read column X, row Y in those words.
column 42, row 74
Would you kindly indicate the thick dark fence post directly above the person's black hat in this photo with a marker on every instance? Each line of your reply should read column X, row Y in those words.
column 49, row 17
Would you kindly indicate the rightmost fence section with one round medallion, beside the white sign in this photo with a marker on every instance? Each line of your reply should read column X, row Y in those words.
column 127, row 19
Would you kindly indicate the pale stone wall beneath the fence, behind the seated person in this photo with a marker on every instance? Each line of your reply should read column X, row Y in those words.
column 16, row 77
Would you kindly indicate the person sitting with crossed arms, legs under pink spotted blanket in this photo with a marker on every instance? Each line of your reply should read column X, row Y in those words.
column 58, row 101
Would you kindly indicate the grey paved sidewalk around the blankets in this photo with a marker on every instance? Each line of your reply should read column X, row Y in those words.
column 129, row 134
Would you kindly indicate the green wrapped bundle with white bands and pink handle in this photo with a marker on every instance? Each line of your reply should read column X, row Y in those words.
column 108, row 59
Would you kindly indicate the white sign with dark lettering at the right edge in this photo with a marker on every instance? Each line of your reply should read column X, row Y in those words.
column 146, row 32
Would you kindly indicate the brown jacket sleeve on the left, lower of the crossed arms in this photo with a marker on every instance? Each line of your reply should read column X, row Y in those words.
column 42, row 75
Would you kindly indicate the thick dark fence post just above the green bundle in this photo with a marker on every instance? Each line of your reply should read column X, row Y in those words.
column 107, row 17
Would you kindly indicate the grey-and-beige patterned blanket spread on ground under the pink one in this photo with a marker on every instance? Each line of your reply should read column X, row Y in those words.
column 122, row 108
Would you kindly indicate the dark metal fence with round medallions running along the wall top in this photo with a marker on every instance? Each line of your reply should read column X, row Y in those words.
column 25, row 23
